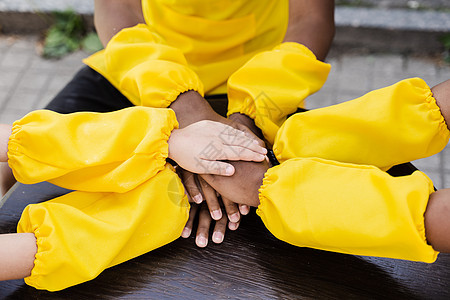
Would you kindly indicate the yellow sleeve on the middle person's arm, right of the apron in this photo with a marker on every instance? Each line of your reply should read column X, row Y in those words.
column 273, row 84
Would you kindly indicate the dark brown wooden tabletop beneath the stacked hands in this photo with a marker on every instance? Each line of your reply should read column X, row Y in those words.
column 250, row 263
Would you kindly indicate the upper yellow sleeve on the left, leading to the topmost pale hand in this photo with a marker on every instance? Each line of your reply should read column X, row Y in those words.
column 100, row 152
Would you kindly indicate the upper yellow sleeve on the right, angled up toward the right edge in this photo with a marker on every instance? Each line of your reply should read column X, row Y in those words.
column 385, row 127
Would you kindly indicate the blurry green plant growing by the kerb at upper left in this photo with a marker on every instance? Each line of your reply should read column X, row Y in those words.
column 67, row 34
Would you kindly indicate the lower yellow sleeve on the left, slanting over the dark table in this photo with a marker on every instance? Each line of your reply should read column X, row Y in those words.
column 81, row 234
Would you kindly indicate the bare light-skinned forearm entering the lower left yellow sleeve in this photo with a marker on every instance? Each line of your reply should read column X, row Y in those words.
column 17, row 251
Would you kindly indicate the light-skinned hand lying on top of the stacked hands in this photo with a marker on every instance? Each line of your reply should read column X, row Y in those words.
column 200, row 146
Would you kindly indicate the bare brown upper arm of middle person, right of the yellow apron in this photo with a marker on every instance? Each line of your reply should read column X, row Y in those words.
column 311, row 23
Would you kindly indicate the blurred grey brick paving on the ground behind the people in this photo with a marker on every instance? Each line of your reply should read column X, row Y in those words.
column 28, row 82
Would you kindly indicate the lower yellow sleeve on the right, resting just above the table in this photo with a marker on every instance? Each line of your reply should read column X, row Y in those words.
column 347, row 208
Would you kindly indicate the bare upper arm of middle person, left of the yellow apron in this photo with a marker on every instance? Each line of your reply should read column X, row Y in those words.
column 111, row 16
